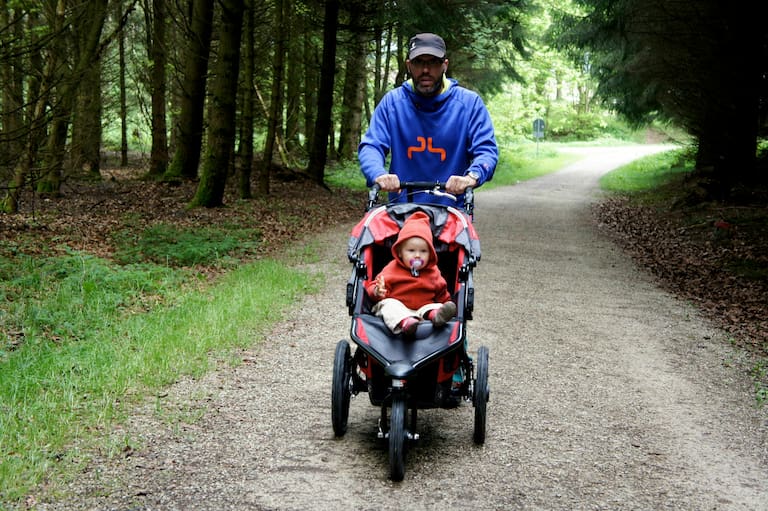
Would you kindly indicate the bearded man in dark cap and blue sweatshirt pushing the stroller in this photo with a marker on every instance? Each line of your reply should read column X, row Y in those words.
column 433, row 129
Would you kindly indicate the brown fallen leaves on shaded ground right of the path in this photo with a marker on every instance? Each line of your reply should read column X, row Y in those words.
column 714, row 254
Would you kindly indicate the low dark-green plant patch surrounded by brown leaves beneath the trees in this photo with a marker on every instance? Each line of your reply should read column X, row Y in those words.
column 166, row 244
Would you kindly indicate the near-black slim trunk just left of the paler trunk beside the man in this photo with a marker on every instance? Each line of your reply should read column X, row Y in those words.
column 319, row 152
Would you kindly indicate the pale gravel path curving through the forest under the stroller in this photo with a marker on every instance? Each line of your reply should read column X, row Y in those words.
column 606, row 393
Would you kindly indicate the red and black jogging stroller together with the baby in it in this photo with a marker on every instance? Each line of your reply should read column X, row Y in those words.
column 409, row 319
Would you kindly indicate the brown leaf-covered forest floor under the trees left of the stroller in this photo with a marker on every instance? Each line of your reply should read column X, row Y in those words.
column 86, row 215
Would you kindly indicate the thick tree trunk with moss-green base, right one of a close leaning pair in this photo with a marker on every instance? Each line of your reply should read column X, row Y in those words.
column 213, row 176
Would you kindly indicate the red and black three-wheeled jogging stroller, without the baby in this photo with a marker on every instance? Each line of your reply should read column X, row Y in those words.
column 434, row 368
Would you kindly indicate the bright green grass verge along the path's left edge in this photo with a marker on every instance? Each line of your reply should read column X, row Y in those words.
column 91, row 338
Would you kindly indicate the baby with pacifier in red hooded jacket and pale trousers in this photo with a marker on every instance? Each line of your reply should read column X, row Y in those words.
column 411, row 287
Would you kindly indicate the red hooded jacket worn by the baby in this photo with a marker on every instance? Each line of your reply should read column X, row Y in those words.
column 429, row 286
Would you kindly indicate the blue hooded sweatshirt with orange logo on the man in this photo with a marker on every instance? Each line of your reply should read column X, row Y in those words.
column 429, row 138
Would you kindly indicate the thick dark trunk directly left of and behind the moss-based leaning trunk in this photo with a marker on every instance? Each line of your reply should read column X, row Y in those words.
column 186, row 158
